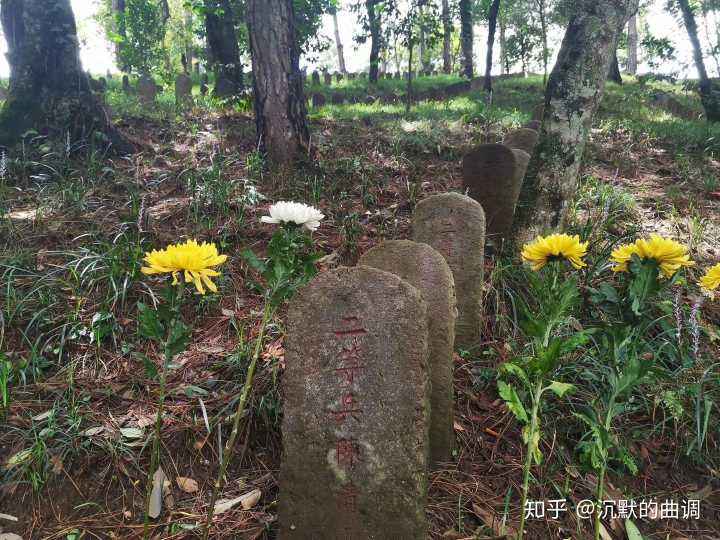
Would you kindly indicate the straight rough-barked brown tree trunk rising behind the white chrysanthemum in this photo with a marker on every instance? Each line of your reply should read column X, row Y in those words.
column 280, row 112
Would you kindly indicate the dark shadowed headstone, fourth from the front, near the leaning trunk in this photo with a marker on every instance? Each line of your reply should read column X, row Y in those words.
column 490, row 177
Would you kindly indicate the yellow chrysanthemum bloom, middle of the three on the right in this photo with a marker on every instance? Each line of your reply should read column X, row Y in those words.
column 668, row 254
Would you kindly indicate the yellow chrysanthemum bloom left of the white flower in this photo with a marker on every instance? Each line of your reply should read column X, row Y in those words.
column 193, row 259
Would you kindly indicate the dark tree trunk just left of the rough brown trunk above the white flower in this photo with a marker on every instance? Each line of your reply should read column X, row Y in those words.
column 223, row 47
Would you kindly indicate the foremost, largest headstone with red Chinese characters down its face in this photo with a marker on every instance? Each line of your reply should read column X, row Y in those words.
column 356, row 409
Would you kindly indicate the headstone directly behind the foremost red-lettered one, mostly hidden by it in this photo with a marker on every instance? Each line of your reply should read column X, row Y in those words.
column 426, row 270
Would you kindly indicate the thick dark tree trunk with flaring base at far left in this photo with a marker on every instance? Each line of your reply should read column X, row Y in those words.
column 49, row 91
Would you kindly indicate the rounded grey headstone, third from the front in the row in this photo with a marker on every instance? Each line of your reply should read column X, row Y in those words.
column 454, row 225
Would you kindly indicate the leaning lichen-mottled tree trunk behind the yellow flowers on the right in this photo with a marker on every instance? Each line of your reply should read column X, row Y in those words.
column 573, row 93
